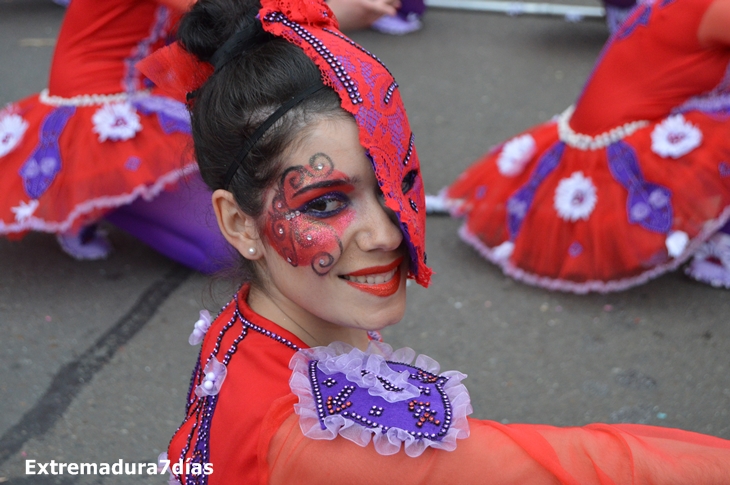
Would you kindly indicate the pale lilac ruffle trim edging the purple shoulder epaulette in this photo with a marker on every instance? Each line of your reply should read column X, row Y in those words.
column 341, row 357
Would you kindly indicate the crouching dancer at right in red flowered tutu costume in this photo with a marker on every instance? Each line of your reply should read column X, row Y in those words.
column 630, row 183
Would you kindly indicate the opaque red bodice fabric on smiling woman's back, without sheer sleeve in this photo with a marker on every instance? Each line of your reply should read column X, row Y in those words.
column 258, row 374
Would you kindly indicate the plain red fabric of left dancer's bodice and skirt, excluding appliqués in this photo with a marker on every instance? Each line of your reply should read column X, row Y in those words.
column 96, row 51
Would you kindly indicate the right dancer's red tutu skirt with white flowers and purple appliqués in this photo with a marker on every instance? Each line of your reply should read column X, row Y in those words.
column 570, row 212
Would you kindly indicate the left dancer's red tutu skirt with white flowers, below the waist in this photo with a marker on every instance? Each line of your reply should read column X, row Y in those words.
column 67, row 162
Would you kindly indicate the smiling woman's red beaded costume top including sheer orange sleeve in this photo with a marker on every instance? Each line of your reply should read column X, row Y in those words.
column 245, row 424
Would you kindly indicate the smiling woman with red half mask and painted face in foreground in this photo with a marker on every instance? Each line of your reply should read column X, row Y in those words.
column 303, row 137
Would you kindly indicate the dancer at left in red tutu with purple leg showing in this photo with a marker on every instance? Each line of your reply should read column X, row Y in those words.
column 101, row 142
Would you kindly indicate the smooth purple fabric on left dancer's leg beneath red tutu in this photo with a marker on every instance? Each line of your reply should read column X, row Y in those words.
column 179, row 224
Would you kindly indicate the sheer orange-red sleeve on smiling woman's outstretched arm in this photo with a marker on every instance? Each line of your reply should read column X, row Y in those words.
column 499, row 454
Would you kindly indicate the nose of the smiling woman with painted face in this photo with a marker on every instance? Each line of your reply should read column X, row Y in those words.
column 380, row 229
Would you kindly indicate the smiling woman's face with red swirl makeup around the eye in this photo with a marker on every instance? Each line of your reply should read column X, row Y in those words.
column 333, row 254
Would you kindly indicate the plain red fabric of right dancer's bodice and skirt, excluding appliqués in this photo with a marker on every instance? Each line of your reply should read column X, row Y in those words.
column 651, row 66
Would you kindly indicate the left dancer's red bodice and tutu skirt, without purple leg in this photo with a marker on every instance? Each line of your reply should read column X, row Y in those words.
column 98, row 137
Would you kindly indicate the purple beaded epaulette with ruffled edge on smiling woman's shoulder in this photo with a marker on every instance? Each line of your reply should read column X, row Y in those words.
column 389, row 397
